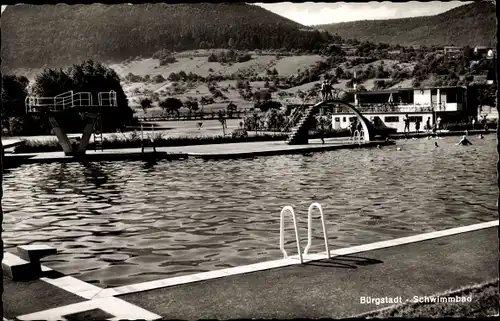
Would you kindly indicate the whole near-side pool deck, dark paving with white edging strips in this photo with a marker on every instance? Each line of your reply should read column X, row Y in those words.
column 419, row 265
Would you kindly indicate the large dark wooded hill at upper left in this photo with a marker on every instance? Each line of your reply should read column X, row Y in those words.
column 34, row 36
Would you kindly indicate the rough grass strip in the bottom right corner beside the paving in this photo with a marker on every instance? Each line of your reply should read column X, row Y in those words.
column 484, row 303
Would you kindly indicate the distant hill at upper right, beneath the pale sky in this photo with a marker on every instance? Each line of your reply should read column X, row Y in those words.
column 472, row 24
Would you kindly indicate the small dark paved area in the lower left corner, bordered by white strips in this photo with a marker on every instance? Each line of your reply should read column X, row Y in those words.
column 21, row 298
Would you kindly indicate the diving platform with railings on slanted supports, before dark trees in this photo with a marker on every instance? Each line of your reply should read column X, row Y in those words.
column 80, row 102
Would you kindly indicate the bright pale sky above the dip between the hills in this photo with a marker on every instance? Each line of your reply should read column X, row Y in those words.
column 314, row 13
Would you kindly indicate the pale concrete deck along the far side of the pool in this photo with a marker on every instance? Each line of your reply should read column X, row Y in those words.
column 208, row 151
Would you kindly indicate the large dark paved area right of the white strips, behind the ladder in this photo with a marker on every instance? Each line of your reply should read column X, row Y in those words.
column 332, row 288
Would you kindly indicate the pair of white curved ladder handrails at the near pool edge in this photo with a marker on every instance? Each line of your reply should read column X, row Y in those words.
column 309, row 231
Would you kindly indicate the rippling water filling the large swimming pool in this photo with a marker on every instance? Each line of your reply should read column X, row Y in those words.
column 124, row 222
